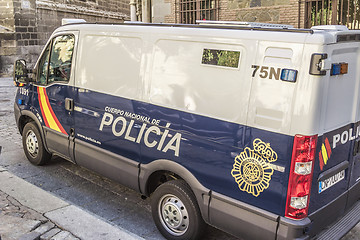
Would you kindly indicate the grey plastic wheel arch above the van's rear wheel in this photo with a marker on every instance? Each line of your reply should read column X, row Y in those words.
column 160, row 171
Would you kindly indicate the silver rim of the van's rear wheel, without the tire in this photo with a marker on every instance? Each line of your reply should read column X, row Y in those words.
column 173, row 215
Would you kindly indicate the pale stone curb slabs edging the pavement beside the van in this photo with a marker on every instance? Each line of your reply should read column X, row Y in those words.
column 69, row 218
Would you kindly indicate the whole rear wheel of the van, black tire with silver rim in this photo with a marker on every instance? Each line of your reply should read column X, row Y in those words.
column 175, row 211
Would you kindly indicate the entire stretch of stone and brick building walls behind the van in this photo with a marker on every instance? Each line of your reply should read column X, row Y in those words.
column 25, row 25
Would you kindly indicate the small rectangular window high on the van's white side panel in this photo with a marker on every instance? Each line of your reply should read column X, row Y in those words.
column 222, row 58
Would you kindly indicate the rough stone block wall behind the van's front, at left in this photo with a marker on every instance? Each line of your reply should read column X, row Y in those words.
column 28, row 24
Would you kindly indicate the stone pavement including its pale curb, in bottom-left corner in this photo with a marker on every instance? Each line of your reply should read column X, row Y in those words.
column 30, row 213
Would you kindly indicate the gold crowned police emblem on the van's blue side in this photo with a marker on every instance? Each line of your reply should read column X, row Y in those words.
column 252, row 170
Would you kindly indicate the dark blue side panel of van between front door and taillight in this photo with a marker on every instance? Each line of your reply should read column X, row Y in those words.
column 208, row 146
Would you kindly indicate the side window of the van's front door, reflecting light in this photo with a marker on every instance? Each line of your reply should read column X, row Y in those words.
column 60, row 58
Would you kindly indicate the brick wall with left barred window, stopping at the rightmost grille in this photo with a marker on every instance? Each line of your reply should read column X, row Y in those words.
column 269, row 11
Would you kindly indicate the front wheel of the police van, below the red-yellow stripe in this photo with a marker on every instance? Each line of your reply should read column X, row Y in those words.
column 33, row 145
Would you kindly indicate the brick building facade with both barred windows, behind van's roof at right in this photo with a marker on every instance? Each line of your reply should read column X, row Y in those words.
column 298, row 13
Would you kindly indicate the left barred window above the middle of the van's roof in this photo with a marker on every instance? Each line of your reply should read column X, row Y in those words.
column 192, row 10
